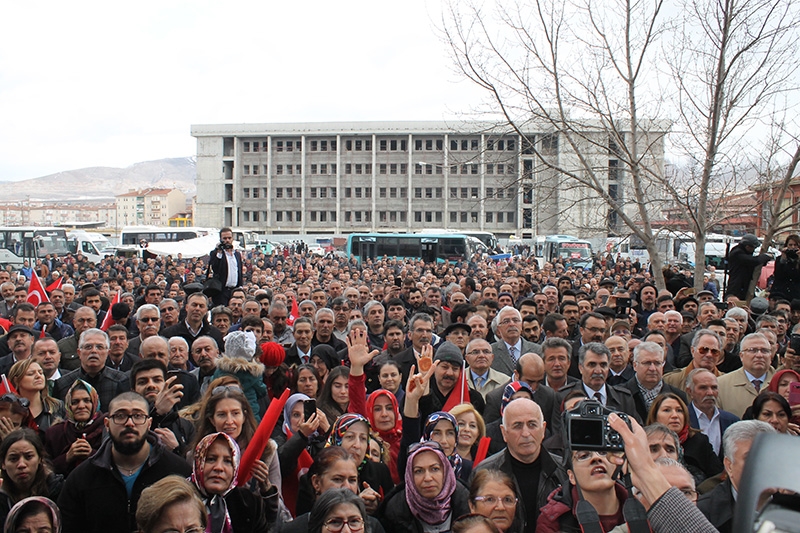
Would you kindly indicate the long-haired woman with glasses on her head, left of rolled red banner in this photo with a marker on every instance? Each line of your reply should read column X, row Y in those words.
column 225, row 409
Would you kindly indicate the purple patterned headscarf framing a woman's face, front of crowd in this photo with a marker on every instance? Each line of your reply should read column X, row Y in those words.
column 429, row 510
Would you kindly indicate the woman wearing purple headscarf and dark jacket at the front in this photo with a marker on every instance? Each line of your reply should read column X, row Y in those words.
column 431, row 498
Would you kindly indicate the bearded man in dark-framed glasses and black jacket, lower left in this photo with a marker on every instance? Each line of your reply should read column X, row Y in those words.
column 101, row 494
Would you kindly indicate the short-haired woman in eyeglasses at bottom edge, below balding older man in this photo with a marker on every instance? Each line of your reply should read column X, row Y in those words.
column 493, row 494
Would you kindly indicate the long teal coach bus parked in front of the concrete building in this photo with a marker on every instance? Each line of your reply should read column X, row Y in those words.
column 428, row 247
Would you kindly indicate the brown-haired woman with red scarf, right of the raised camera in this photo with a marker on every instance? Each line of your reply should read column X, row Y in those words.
column 698, row 454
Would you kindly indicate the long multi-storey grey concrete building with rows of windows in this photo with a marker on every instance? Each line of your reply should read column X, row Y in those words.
column 398, row 176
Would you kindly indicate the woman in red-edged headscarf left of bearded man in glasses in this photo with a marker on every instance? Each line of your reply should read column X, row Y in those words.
column 73, row 440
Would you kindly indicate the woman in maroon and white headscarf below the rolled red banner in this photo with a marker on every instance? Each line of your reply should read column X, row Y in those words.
column 231, row 509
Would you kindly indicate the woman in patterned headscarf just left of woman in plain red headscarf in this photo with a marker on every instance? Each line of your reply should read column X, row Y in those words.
column 351, row 432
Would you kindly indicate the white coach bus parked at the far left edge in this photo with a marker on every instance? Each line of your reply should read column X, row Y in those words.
column 18, row 243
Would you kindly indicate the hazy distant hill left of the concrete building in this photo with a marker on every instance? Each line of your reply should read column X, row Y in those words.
column 103, row 183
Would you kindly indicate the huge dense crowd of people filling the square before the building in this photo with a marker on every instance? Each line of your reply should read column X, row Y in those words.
column 421, row 397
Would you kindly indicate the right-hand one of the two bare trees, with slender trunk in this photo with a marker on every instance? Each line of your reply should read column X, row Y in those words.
column 730, row 60
